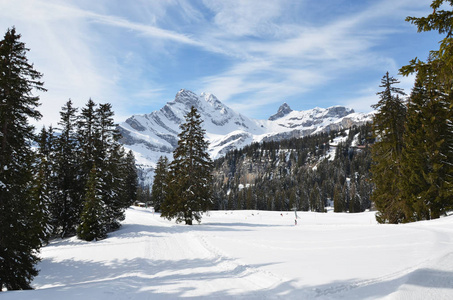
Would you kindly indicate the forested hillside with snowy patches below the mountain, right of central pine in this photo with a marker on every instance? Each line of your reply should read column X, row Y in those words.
column 307, row 173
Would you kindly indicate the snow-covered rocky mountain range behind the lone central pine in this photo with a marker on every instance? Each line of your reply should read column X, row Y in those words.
column 153, row 135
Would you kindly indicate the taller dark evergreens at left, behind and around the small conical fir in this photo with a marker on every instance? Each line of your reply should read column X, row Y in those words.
column 90, row 138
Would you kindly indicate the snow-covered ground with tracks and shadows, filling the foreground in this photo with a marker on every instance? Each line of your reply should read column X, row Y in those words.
column 252, row 255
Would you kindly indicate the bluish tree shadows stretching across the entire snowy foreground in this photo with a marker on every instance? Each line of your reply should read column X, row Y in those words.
column 142, row 278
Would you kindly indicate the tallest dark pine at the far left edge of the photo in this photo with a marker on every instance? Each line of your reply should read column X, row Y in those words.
column 20, row 227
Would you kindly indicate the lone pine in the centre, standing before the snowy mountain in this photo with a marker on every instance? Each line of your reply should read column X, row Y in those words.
column 189, row 189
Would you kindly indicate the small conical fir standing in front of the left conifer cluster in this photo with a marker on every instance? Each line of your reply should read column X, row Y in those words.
column 92, row 226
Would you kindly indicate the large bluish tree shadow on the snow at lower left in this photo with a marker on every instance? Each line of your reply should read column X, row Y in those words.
column 145, row 279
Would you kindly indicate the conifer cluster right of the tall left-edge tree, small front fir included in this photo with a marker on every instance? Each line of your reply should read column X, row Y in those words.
column 87, row 179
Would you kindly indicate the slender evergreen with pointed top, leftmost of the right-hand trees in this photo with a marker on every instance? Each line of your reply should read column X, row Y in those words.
column 388, row 125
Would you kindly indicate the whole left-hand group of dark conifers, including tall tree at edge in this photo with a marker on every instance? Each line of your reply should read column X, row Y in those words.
column 74, row 180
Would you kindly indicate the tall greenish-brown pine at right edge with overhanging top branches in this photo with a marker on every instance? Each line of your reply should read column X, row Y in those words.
column 431, row 194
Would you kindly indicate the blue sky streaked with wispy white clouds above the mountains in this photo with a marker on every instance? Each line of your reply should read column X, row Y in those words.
column 253, row 55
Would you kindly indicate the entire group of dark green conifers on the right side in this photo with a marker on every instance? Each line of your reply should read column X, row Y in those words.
column 413, row 171
